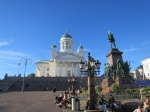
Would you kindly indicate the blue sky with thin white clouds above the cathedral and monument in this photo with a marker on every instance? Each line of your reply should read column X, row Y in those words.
column 30, row 27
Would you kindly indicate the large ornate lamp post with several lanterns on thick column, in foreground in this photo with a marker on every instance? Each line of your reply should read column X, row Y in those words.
column 90, row 68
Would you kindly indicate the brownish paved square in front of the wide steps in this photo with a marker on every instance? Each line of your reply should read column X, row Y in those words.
column 36, row 101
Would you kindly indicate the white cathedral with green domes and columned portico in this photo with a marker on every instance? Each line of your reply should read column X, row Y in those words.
column 63, row 63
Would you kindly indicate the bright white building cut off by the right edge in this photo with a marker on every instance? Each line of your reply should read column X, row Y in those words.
column 146, row 68
